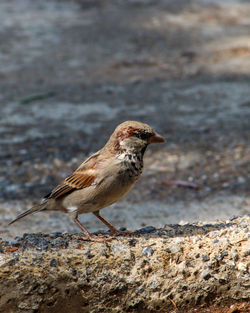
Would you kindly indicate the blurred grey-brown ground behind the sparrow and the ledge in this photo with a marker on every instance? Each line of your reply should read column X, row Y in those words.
column 71, row 71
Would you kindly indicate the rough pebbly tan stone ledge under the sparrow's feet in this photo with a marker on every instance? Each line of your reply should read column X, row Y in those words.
column 178, row 268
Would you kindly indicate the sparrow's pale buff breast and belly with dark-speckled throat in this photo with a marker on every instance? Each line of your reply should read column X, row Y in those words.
column 112, row 184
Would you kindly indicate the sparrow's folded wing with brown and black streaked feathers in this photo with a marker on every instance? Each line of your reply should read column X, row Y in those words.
column 83, row 177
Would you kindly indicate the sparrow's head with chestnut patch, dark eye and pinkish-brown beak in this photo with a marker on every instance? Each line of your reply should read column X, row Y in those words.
column 134, row 136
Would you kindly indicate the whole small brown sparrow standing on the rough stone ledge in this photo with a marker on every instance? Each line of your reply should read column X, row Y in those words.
column 102, row 179
